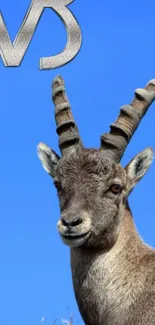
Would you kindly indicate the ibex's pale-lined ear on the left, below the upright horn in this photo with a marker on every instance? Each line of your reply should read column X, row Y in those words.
column 48, row 158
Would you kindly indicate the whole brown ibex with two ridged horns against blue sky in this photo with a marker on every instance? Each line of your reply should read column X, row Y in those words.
column 113, row 270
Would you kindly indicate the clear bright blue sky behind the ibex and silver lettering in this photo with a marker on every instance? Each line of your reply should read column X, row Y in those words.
column 117, row 56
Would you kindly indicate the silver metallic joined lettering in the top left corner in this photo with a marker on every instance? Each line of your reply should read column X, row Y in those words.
column 12, row 54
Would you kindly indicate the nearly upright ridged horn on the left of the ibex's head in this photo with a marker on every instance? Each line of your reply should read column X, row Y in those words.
column 69, row 138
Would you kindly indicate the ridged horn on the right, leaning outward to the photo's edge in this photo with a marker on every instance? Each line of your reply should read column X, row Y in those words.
column 116, row 141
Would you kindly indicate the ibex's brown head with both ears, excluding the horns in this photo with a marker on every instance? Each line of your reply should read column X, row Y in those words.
column 92, row 192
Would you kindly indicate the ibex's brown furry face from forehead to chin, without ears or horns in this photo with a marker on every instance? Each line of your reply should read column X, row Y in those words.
column 90, row 190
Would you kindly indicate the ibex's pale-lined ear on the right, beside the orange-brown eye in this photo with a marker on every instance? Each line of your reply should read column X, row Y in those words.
column 137, row 168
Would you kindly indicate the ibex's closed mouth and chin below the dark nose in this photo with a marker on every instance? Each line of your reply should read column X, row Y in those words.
column 74, row 240
